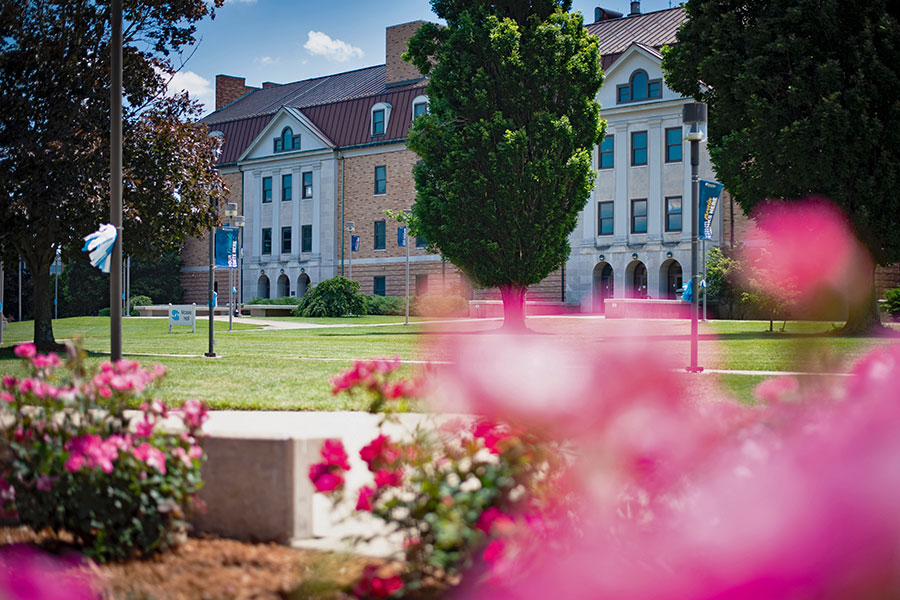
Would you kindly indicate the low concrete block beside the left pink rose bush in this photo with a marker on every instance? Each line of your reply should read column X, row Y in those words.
column 258, row 489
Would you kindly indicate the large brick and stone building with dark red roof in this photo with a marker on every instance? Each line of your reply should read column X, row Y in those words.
column 304, row 159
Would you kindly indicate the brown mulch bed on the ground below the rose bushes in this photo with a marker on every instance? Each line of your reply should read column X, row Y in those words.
column 209, row 568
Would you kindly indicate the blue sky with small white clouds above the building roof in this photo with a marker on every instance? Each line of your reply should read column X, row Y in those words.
column 289, row 40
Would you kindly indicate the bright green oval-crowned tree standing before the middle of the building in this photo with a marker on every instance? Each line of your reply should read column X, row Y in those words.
column 506, row 146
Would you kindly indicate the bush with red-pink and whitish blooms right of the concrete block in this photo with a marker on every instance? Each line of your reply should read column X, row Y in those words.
column 458, row 494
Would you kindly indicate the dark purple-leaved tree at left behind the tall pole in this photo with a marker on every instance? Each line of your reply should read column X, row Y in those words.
column 54, row 135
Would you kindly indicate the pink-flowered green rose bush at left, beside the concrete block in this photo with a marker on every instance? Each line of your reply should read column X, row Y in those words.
column 73, row 461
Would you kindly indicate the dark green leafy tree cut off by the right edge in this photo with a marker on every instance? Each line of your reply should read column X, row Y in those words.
column 804, row 97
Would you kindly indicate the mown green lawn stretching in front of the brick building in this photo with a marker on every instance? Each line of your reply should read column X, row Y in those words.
column 289, row 369
